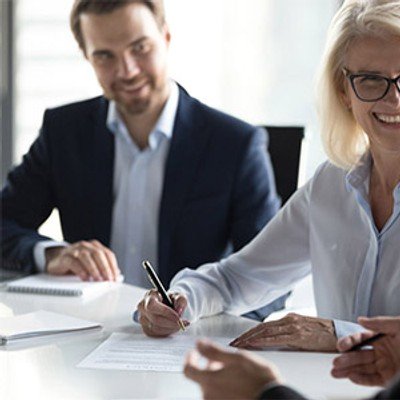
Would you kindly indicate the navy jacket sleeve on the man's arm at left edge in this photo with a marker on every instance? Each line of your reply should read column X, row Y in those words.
column 27, row 201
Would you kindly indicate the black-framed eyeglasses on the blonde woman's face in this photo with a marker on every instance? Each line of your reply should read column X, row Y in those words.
column 371, row 87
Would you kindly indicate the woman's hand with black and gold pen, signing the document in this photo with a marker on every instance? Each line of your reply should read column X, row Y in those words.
column 160, row 312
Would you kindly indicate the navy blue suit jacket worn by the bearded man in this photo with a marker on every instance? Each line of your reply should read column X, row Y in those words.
column 218, row 187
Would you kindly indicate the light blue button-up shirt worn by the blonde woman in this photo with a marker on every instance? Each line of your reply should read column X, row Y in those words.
column 325, row 229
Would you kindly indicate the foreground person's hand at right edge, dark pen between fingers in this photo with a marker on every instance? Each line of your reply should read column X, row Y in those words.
column 374, row 366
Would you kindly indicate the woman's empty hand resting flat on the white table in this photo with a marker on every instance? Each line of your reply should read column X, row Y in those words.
column 293, row 331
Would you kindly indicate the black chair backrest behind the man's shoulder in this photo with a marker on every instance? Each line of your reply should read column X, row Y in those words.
column 285, row 147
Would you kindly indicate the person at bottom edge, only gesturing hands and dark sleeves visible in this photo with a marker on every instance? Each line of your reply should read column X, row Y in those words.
column 242, row 375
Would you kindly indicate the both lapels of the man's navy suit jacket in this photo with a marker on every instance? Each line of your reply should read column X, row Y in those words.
column 188, row 143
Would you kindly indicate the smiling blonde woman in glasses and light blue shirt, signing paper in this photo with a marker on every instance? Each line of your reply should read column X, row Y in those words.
column 343, row 226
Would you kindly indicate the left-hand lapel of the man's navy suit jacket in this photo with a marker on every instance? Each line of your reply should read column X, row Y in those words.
column 100, row 177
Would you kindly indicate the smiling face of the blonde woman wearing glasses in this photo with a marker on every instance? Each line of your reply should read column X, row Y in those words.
column 380, row 119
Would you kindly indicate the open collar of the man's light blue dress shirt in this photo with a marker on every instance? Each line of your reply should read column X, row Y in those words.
column 164, row 125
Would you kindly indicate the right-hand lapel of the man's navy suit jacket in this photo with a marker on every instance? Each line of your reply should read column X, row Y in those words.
column 188, row 142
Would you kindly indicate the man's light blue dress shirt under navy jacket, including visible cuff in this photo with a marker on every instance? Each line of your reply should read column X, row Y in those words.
column 137, row 189
